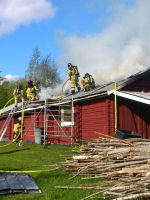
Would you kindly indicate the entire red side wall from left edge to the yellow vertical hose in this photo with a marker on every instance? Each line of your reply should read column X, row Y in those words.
column 90, row 116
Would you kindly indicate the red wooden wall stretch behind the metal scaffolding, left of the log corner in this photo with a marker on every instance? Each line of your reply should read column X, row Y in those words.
column 33, row 120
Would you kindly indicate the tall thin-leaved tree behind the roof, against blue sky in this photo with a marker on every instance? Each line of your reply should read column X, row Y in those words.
column 43, row 70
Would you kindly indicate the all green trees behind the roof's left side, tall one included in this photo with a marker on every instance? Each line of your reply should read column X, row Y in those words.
column 40, row 69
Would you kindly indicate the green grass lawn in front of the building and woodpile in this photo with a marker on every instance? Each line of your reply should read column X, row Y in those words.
column 34, row 157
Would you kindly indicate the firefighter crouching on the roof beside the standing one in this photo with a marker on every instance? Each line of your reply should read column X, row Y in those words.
column 88, row 82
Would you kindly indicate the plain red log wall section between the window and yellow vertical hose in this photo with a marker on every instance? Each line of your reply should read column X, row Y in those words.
column 95, row 115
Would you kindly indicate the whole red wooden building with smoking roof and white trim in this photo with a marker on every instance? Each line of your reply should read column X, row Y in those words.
column 80, row 116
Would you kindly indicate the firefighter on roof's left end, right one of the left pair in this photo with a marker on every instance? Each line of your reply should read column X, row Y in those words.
column 32, row 91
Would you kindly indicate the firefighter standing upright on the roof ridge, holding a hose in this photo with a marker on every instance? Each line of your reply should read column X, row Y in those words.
column 74, row 77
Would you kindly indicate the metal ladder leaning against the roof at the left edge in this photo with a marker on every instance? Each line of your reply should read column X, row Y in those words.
column 7, row 122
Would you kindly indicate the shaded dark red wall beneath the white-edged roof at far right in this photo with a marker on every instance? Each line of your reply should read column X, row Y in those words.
column 134, row 116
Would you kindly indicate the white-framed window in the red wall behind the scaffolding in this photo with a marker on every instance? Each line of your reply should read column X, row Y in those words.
column 67, row 115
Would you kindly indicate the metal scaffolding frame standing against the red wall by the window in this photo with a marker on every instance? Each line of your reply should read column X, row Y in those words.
column 55, row 120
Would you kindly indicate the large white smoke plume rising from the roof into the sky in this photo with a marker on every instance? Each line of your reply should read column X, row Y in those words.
column 120, row 50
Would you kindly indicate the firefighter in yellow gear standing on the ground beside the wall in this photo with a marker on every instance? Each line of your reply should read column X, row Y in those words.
column 17, row 129
